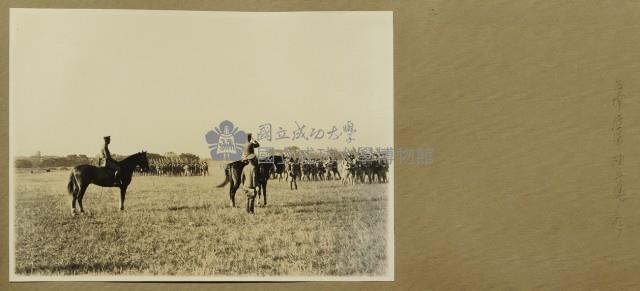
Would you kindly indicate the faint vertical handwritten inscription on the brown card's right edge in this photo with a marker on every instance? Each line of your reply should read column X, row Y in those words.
column 618, row 157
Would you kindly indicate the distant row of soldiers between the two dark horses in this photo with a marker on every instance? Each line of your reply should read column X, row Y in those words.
column 177, row 167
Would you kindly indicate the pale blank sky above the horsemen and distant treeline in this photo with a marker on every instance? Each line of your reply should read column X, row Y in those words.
column 160, row 80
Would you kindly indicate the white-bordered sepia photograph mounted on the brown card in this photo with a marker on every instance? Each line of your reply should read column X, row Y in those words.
column 160, row 145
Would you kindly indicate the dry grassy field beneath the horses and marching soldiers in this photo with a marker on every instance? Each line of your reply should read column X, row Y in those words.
column 185, row 226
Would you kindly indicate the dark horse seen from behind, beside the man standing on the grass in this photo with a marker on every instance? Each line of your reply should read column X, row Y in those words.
column 234, row 176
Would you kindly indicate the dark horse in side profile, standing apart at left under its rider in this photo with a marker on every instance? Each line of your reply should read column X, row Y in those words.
column 84, row 175
